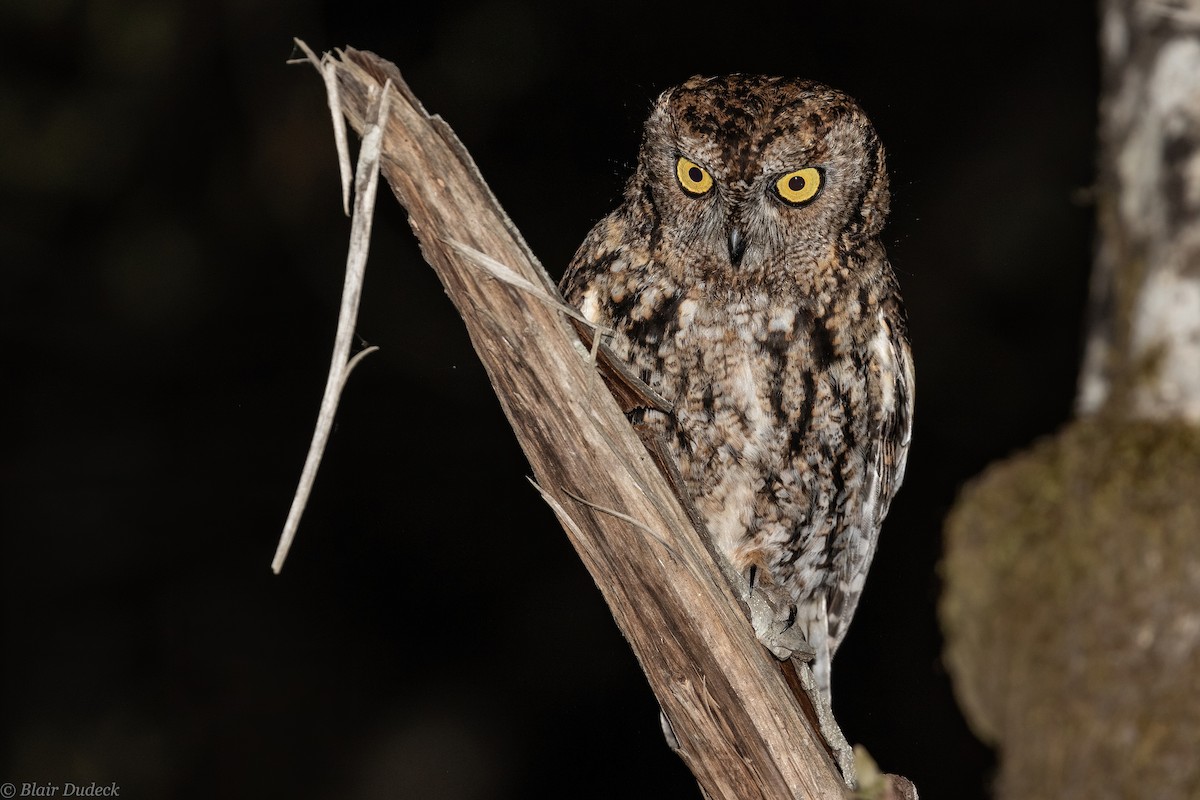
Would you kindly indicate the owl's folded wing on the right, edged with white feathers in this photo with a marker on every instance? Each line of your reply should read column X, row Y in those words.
column 886, row 461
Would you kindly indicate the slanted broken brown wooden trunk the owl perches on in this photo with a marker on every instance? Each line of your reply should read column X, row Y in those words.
column 741, row 729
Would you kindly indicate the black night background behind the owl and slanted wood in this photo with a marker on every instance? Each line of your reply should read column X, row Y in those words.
column 172, row 249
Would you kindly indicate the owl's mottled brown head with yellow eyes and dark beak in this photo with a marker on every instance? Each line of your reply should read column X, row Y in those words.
column 763, row 178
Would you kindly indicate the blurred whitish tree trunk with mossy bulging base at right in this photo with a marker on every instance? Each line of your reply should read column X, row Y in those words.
column 1072, row 605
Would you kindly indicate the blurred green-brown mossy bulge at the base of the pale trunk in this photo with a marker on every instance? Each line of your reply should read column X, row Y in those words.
column 1072, row 605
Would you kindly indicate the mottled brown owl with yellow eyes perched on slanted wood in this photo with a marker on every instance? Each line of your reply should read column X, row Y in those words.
column 743, row 280
